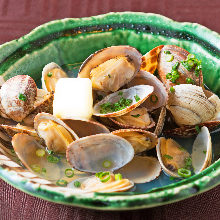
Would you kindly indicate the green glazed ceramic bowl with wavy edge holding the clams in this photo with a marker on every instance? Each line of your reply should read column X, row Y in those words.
column 71, row 41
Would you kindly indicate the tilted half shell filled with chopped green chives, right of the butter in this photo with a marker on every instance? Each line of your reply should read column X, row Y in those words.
column 140, row 91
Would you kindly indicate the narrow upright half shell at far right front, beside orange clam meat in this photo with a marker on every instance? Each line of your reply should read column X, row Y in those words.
column 202, row 143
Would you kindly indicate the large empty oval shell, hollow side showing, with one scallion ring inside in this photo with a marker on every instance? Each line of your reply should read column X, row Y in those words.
column 101, row 152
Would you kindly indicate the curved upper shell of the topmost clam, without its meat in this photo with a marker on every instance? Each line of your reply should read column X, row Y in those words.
column 105, row 54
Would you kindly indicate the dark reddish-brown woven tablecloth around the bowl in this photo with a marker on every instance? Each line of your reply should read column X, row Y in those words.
column 18, row 17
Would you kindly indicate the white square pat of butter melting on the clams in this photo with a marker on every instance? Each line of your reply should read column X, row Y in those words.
column 73, row 98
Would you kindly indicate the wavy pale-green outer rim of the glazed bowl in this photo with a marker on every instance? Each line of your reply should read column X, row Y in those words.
column 187, row 188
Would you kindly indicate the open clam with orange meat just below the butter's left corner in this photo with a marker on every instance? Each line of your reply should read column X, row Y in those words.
column 56, row 134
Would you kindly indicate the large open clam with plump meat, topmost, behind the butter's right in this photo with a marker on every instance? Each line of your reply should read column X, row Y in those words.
column 111, row 68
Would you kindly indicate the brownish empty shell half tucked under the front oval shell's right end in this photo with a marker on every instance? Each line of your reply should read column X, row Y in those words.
column 141, row 169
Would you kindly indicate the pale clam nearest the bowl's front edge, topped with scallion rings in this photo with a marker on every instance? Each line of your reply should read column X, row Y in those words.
column 94, row 184
